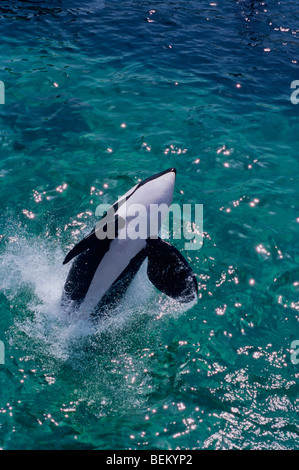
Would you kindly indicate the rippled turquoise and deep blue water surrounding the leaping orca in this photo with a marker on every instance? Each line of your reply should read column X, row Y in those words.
column 97, row 95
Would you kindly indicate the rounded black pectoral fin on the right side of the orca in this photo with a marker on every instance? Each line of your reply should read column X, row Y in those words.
column 169, row 271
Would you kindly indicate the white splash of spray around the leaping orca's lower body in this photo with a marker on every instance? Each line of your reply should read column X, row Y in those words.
column 32, row 278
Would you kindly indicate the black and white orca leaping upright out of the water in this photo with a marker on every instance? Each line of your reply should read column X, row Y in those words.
column 103, row 268
